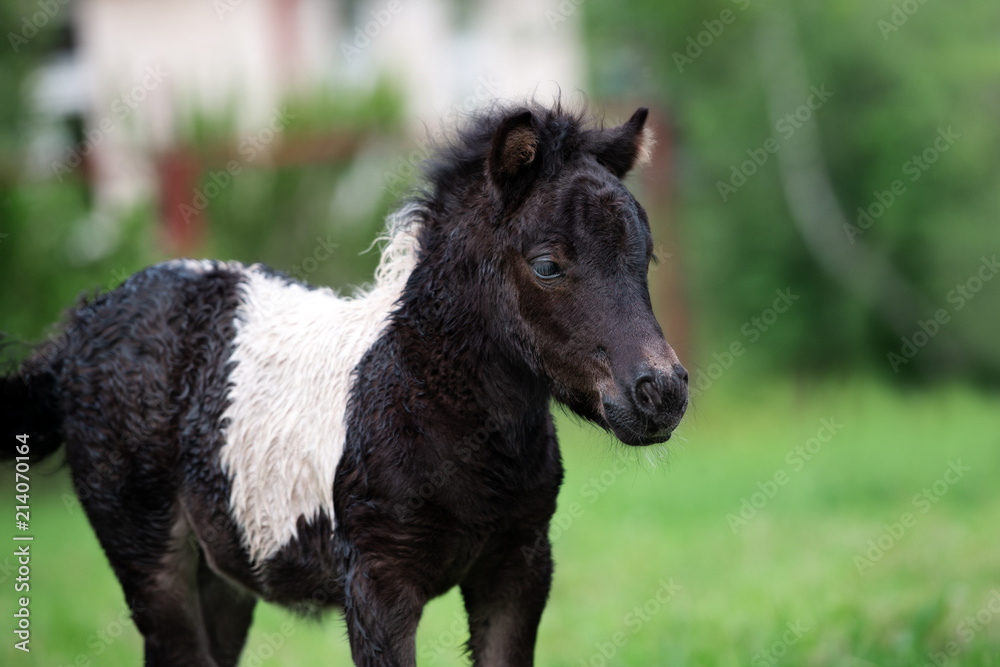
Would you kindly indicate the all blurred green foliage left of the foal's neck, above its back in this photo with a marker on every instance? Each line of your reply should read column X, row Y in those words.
column 55, row 247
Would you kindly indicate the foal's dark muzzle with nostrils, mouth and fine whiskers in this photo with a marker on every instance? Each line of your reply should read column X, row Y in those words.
column 651, row 407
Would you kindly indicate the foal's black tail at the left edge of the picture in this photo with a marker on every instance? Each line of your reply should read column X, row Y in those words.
column 29, row 405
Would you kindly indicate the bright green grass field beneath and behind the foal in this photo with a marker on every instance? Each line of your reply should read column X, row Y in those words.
column 792, row 563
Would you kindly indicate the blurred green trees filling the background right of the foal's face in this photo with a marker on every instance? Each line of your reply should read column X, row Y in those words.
column 892, row 92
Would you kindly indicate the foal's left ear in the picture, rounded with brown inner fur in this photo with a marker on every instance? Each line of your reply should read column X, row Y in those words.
column 511, row 160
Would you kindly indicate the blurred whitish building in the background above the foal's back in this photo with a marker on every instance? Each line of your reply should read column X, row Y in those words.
column 139, row 67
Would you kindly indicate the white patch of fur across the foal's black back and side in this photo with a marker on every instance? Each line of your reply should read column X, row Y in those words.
column 294, row 351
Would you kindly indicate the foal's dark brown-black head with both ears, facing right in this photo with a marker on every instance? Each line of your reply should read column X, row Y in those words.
column 576, row 248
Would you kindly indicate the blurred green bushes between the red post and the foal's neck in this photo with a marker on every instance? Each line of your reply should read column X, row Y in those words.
column 294, row 217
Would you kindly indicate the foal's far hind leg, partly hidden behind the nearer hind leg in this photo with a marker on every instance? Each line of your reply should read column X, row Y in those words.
column 227, row 611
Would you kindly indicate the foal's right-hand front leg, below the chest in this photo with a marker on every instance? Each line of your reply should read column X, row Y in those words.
column 505, row 594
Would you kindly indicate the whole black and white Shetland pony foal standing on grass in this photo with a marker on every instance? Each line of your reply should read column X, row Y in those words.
column 235, row 434
